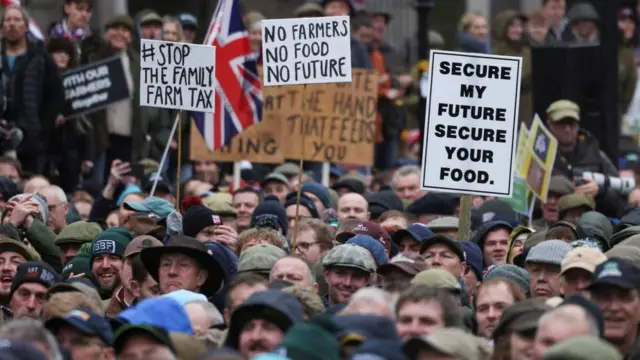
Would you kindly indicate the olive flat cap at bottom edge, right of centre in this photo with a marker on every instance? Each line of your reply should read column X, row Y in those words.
column 453, row 342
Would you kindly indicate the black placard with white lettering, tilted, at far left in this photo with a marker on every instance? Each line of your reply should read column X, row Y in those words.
column 92, row 87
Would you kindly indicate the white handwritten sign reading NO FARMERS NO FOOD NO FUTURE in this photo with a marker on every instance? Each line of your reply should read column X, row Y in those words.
column 306, row 51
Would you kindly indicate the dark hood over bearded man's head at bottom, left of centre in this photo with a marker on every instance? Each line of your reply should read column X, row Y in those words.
column 277, row 307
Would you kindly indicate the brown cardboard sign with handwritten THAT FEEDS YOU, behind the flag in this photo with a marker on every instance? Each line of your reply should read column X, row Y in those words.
column 339, row 121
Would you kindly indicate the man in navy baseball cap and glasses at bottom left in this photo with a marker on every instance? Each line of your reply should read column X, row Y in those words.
column 85, row 334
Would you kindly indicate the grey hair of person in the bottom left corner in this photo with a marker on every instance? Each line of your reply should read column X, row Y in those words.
column 31, row 330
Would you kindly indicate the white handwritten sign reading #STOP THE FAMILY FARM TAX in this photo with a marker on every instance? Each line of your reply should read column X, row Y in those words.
column 177, row 75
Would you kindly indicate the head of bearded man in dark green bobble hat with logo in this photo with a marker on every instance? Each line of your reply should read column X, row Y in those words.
column 107, row 253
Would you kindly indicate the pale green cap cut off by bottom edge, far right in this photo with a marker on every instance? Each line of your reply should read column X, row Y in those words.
column 586, row 347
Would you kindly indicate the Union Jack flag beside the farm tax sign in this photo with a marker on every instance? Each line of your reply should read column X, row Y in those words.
column 238, row 102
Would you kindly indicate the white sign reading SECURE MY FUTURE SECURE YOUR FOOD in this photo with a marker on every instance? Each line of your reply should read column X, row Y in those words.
column 471, row 123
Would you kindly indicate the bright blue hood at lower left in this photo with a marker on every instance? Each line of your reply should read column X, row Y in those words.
column 162, row 312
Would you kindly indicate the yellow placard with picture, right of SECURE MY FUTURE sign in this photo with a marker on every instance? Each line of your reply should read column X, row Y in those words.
column 539, row 159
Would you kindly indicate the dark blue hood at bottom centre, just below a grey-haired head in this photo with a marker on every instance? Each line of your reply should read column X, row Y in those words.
column 367, row 327
